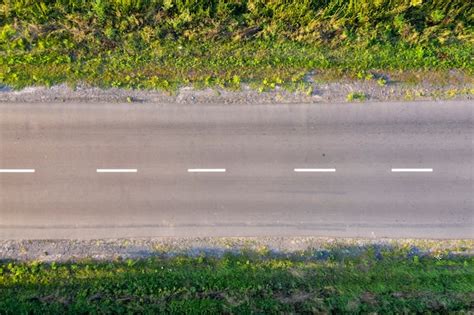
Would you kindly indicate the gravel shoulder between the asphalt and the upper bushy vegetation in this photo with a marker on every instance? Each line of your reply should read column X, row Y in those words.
column 342, row 91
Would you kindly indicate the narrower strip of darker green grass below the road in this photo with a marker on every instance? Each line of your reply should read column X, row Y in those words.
column 377, row 279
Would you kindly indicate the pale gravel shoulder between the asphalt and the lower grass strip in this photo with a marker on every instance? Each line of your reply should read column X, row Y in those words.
column 118, row 249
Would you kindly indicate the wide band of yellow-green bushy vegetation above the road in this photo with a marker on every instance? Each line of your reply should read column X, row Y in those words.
column 164, row 44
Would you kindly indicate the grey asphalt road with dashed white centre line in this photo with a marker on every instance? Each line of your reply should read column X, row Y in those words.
column 59, row 168
